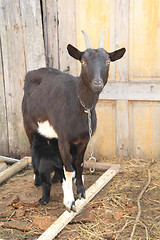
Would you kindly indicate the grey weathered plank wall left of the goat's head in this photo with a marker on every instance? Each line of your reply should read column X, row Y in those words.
column 26, row 43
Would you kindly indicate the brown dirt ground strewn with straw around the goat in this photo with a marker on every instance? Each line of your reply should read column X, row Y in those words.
column 130, row 200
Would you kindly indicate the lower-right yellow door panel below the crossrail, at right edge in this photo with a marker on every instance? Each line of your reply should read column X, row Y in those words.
column 144, row 129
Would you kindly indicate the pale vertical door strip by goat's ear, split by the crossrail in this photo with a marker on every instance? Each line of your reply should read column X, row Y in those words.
column 122, row 33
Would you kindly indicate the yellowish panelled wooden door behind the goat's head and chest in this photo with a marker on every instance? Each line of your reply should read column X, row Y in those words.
column 128, row 110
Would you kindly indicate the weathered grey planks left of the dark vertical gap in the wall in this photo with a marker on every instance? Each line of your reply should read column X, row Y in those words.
column 22, row 49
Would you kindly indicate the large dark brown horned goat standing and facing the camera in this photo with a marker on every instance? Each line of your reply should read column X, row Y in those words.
column 53, row 106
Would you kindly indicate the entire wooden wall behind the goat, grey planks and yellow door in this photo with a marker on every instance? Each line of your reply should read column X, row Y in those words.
column 35, row 33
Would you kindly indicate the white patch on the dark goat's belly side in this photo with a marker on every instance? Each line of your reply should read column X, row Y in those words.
column 45, row 129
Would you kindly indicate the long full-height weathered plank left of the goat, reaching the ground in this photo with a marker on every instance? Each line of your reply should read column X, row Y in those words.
column 14, row 71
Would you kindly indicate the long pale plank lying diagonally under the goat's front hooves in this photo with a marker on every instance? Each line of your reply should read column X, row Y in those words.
column 66, row 217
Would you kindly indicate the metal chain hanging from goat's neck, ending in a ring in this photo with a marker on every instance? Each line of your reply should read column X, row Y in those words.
column 88, row 111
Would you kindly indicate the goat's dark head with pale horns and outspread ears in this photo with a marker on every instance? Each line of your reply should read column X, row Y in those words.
column 95, row 63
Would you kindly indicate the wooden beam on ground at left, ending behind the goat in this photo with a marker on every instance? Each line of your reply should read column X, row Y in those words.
column 16, row 167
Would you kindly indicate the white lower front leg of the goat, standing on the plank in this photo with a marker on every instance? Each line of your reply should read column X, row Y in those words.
column 68, row 199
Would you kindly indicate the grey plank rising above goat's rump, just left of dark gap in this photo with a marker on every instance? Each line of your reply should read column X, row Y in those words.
column 32, row 34
